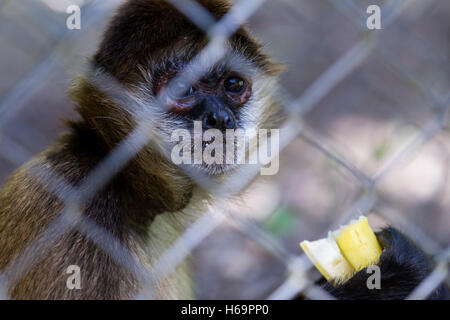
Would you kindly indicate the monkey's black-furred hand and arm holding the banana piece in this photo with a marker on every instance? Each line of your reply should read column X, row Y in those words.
column 403, row 267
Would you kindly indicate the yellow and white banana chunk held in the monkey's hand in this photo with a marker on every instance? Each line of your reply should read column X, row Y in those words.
column 345, row 251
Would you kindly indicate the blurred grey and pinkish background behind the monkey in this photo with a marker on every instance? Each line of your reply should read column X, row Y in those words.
column 383, row 119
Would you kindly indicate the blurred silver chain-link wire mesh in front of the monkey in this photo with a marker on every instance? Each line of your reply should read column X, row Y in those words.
column 299, row 280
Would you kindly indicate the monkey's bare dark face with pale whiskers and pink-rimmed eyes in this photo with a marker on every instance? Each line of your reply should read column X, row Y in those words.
column 219, row 112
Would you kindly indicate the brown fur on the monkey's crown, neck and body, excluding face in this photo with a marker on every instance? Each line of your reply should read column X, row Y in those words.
column 148, row 186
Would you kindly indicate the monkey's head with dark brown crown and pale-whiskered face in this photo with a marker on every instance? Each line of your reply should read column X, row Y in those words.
column 157, row 57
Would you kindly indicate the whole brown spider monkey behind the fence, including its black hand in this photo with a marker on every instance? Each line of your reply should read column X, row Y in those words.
column 150, row 201
